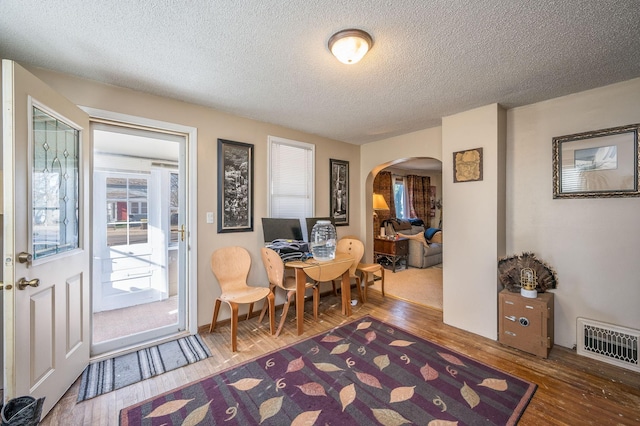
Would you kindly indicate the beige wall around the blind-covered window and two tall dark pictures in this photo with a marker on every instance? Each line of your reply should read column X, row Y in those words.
column 211, row 125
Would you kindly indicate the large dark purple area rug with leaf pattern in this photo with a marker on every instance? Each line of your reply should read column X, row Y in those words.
column 363, row 372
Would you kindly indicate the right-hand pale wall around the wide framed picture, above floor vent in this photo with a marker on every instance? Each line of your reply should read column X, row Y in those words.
column 594, row 244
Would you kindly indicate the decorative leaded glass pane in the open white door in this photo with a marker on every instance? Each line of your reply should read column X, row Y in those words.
column 55, row 187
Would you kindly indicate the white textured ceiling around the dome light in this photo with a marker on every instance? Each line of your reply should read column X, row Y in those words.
column 268, row 59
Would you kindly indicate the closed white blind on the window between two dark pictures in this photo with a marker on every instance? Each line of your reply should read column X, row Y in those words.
column 291, row 178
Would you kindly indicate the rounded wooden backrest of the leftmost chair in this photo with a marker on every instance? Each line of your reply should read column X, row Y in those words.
column 231, row 265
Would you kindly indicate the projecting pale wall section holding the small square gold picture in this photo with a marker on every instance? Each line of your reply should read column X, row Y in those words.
column 474, row 222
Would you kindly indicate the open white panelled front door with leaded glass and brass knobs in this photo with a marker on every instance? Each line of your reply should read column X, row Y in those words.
column 46, row 240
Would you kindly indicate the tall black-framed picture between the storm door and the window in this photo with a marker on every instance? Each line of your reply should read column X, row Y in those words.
column 235, row 186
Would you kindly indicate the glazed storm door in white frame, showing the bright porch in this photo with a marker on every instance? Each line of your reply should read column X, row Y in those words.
column 139, row 249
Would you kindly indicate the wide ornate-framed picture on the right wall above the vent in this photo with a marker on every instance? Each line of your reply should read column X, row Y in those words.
column 600, row 163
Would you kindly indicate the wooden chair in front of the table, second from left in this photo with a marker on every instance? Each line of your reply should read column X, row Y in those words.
column 274, row 266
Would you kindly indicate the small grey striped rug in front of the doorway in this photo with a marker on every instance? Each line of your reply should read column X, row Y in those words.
column 124, row 370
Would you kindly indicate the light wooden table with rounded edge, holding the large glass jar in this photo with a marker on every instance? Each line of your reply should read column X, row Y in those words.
column 321, row 271
